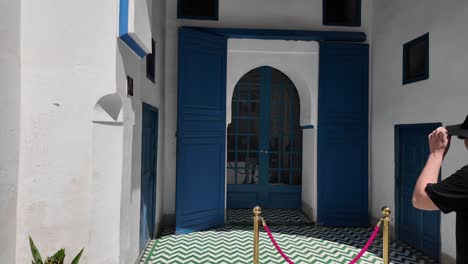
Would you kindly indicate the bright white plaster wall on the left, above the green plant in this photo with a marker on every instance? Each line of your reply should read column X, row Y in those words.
column 67, row 64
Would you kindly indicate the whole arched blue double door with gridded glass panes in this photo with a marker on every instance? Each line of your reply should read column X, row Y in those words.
column 264, row 142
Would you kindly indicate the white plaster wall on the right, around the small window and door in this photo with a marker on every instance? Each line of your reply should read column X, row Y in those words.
column 441, row 98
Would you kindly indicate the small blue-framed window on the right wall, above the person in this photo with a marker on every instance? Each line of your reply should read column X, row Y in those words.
column 416, row 60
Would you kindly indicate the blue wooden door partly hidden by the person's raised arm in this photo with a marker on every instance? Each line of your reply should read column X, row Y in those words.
column 420, row 229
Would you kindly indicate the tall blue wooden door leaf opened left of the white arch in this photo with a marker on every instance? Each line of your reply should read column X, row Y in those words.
column 201, row 131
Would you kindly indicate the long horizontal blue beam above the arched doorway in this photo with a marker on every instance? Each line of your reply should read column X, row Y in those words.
column 285, row 34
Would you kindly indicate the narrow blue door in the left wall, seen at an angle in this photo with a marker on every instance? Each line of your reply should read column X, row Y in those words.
column 149, row 146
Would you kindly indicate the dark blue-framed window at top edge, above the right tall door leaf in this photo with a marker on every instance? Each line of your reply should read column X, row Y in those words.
column 345, row 13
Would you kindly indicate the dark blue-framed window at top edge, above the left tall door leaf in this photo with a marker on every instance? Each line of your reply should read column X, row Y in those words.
column 198, row 9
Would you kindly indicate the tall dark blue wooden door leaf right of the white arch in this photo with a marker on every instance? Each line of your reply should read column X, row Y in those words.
column 342, row 151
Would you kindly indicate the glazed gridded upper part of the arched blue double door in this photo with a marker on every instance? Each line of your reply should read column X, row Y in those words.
column 283, row 146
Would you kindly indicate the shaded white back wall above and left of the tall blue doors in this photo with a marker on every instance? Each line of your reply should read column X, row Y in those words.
column 271, row 14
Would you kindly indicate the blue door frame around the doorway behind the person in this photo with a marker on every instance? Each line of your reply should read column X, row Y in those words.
column 397, row 193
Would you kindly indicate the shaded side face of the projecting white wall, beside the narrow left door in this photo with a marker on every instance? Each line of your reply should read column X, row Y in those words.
column 129, row 64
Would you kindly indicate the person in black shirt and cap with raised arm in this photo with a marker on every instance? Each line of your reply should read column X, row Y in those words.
column 450, row 194
